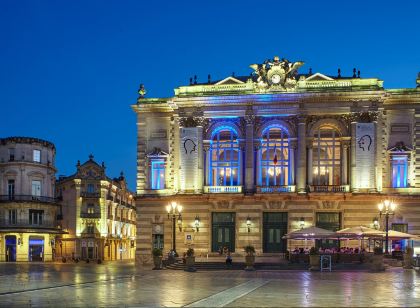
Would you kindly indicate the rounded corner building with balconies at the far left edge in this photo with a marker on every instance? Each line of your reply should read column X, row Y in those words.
column 29, row 213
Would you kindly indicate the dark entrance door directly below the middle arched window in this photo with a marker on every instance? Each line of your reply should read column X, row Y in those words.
column 274, row 228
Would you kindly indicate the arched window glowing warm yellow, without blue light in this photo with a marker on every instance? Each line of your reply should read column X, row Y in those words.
column 326, row 157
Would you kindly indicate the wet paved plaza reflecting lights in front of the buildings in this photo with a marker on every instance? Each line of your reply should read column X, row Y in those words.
column 124, row 285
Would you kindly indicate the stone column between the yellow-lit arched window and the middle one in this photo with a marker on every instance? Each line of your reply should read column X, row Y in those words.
column 301, row 159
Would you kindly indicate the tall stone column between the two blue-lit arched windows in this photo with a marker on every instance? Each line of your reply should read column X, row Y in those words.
column 249, row 154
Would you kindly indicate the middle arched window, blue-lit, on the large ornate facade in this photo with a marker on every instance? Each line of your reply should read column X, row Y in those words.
column 274, row 158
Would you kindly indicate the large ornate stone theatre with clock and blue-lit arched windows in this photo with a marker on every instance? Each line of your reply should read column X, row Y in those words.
column 258, row 156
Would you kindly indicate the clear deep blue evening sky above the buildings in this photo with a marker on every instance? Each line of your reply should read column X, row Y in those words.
column 69, row 70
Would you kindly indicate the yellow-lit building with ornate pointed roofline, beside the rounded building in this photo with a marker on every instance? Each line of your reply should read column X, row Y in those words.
column 99, row 215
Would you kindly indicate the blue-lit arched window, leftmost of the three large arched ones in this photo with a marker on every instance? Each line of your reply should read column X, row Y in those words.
column 225, row 159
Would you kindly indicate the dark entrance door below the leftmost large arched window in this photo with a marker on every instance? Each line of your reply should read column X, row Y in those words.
column 223, row 231
